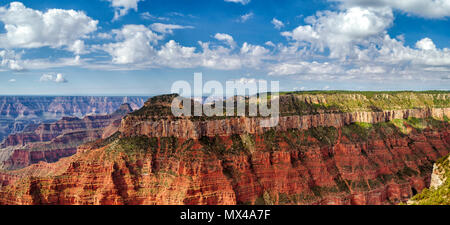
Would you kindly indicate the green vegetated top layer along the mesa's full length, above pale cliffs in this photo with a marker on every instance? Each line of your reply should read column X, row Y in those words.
column 313, row 102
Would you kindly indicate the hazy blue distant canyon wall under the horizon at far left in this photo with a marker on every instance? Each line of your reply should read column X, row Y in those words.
column 17, row 112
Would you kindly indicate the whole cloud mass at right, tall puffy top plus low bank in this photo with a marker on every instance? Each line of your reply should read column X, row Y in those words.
column 353, row 43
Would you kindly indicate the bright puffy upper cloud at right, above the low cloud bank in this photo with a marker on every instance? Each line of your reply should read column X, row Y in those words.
column 341, row 31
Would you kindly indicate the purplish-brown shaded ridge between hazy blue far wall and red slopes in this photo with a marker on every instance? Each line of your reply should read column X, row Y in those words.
column 51, row 141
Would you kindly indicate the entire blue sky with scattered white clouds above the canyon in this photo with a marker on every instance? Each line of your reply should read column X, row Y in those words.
column 140, row 47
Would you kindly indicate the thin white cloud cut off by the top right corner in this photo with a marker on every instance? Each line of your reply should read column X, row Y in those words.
column 423, row 8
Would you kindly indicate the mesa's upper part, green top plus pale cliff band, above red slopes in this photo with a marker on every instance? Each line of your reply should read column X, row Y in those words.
column 298, row 111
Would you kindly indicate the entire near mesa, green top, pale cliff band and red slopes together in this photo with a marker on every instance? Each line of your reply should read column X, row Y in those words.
column 329, row 148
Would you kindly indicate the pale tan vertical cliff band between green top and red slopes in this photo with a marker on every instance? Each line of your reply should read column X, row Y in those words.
column 187, row 128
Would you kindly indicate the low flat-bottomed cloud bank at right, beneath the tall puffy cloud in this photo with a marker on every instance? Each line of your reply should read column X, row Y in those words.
column 383, row 58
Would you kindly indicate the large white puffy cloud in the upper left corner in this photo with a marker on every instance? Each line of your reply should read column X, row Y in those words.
column 56, row 28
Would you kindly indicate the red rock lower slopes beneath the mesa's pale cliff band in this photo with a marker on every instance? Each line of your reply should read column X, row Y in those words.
column 323, row 165
